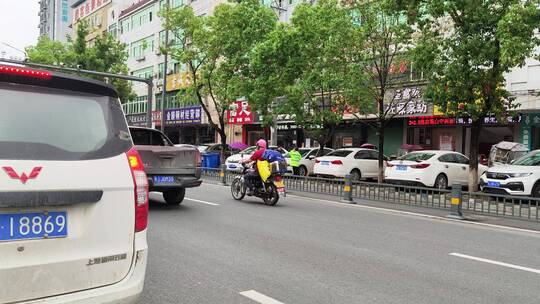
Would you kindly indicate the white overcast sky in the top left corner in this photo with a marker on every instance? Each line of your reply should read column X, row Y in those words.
column 18, row 24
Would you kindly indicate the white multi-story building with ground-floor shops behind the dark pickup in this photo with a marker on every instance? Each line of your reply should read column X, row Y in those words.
column 140, row 27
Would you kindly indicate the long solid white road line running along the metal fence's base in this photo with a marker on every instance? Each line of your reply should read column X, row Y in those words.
column 405, row 213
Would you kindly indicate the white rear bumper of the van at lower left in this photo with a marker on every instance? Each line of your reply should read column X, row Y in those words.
column 126, row 291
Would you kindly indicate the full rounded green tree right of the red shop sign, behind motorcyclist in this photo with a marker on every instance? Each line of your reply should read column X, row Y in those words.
column 307, row 66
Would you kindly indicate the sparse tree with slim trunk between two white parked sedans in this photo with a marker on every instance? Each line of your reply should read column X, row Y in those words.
column 381, row 56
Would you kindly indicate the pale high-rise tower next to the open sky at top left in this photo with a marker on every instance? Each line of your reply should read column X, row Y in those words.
column 55, row 19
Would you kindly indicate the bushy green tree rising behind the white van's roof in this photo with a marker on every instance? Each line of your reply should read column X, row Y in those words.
column 106, row 54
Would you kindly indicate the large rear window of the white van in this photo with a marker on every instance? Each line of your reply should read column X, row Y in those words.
column 51, row 124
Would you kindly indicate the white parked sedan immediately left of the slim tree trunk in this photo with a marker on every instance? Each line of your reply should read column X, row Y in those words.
column 359, row 163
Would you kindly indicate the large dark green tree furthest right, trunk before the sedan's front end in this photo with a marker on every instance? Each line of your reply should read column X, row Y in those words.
column 464, row 48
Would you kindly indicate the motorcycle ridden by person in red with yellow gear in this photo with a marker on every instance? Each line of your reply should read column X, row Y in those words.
column 269, row 191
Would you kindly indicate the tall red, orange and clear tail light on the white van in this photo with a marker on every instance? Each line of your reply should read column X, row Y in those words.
column 141, row 189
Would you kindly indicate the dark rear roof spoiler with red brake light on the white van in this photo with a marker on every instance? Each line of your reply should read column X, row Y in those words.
column 53, row 79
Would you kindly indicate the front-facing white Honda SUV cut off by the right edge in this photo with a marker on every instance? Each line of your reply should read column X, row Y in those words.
column 522, row 177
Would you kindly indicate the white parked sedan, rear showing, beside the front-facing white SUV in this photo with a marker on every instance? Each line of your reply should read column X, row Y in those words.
column 430, row 168
